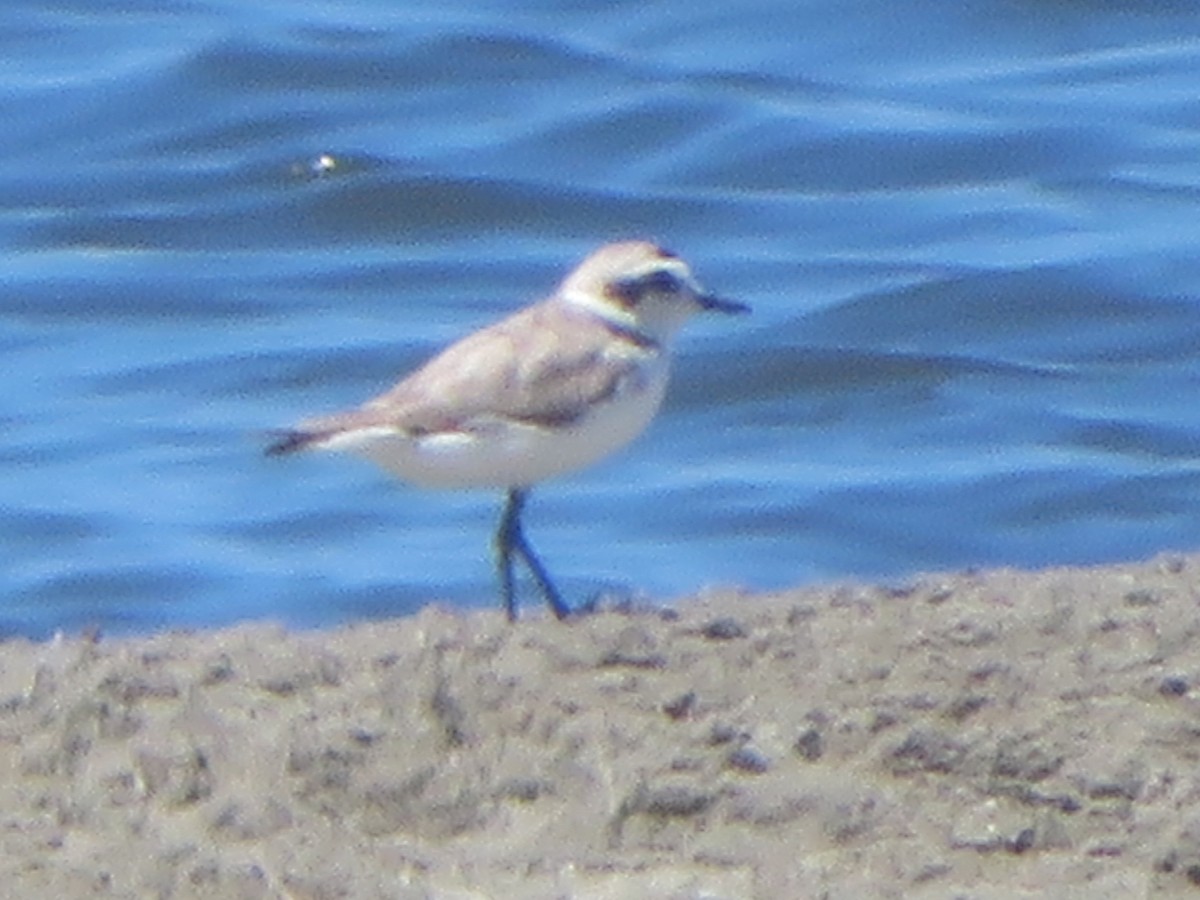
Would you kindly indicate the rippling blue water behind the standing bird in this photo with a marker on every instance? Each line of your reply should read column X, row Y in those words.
column 968, row 233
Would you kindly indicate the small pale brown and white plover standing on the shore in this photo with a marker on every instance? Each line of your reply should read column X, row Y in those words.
column 553, row 388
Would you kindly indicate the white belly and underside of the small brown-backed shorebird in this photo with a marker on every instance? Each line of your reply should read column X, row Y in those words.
column 501, row 453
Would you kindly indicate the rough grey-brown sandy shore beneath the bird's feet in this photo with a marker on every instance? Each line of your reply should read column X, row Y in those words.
column 993, row 735
